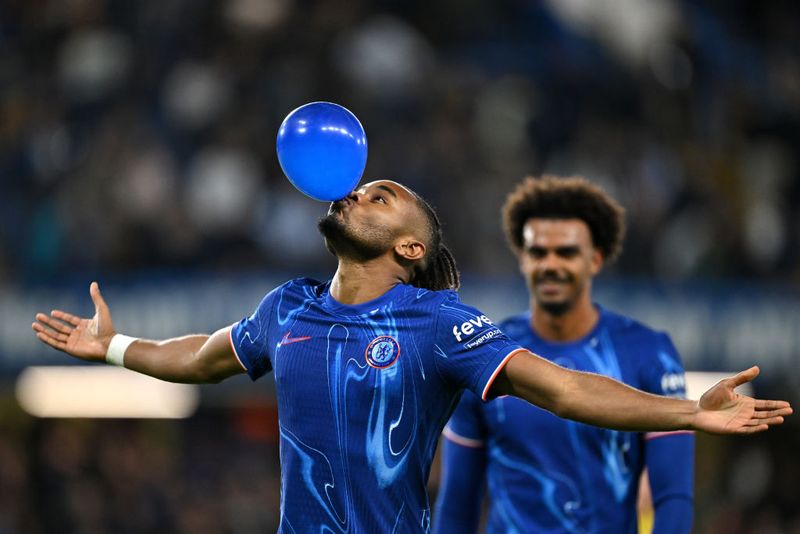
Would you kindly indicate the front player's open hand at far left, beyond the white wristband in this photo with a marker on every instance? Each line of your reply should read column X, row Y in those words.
column 86, row 339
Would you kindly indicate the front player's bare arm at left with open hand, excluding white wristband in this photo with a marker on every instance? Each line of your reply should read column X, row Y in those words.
column 189, row 359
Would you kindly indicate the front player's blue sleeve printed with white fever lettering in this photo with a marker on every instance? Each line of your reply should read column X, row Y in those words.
column 469, row 349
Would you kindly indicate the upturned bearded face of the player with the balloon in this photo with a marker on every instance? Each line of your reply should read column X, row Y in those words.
column 366, row 223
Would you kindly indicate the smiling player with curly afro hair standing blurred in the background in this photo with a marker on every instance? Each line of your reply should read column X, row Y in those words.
column 547, row 474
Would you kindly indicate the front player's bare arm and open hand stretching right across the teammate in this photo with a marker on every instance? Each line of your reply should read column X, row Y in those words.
column 602, row 401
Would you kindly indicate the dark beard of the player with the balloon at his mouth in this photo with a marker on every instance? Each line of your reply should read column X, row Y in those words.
column 347, row 241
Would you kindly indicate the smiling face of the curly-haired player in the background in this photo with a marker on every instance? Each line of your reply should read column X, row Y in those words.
column 558, row 261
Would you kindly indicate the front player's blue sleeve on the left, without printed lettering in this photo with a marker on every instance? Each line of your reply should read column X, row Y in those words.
column 250, row 338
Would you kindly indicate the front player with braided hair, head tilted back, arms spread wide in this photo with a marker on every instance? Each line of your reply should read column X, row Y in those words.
column 369, row 365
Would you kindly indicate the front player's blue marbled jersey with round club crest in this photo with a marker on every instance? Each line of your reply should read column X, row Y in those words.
column 363, row 394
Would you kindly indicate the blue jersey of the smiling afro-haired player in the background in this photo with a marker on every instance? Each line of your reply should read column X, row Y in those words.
column 547, row 474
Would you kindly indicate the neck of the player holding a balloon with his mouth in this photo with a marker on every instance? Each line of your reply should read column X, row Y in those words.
column 357, row 282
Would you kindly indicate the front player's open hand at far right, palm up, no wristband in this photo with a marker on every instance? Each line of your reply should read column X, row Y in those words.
column 723, row 411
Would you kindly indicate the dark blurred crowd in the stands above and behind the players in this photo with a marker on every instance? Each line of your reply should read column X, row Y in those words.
column 141, row 134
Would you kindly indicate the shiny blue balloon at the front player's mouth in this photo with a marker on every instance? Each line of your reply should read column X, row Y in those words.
column 322, row 149
